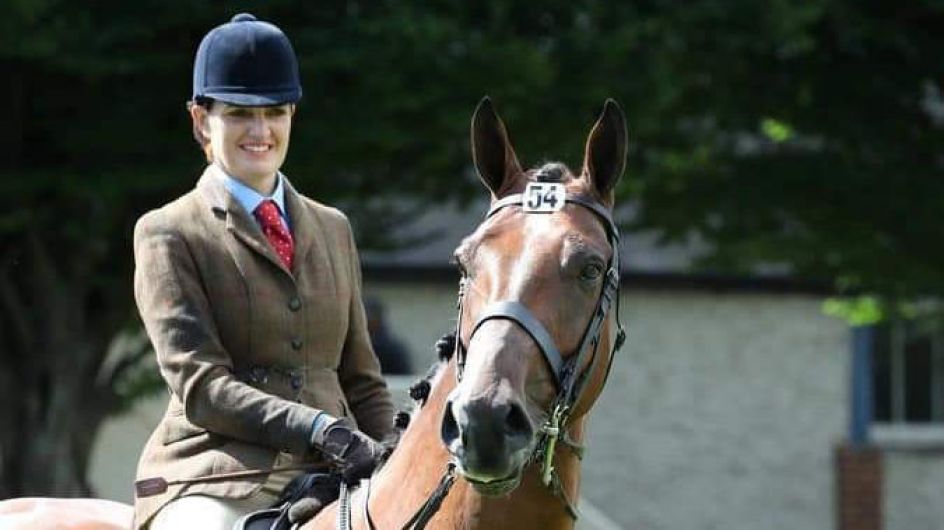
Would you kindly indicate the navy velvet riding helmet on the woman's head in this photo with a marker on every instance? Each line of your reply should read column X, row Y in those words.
column 246, row 62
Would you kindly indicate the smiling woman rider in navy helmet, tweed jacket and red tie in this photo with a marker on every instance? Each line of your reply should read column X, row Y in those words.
column 250, row 293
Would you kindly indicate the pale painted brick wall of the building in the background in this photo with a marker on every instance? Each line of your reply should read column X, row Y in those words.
column 722, row 412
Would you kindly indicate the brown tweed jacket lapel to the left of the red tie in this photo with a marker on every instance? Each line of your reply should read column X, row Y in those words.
column 238, row 221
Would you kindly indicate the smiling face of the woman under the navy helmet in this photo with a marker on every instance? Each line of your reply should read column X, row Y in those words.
column 249, row 143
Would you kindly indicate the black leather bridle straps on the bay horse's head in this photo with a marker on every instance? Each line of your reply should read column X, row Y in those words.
column 570, row 382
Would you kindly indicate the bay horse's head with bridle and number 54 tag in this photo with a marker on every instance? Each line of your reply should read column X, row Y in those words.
column 534, row 332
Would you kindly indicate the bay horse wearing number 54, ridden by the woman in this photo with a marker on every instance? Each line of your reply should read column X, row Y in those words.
column 497, row 442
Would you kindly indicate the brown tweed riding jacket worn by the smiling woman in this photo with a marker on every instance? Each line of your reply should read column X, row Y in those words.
column 250, row 351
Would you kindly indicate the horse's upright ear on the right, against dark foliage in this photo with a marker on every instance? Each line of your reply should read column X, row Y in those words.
column 605, row 155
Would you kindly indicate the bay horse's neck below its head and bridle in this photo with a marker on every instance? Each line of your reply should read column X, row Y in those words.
column 419, row 463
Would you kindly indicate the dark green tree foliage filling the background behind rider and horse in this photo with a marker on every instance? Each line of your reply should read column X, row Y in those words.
column 803, row 134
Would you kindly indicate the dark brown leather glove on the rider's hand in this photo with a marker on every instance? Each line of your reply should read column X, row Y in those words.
column 357, row 453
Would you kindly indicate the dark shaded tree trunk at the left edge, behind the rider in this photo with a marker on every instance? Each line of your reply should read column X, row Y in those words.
column 55, row 396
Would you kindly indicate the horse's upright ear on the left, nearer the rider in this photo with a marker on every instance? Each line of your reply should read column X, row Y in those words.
column 492, row 153
